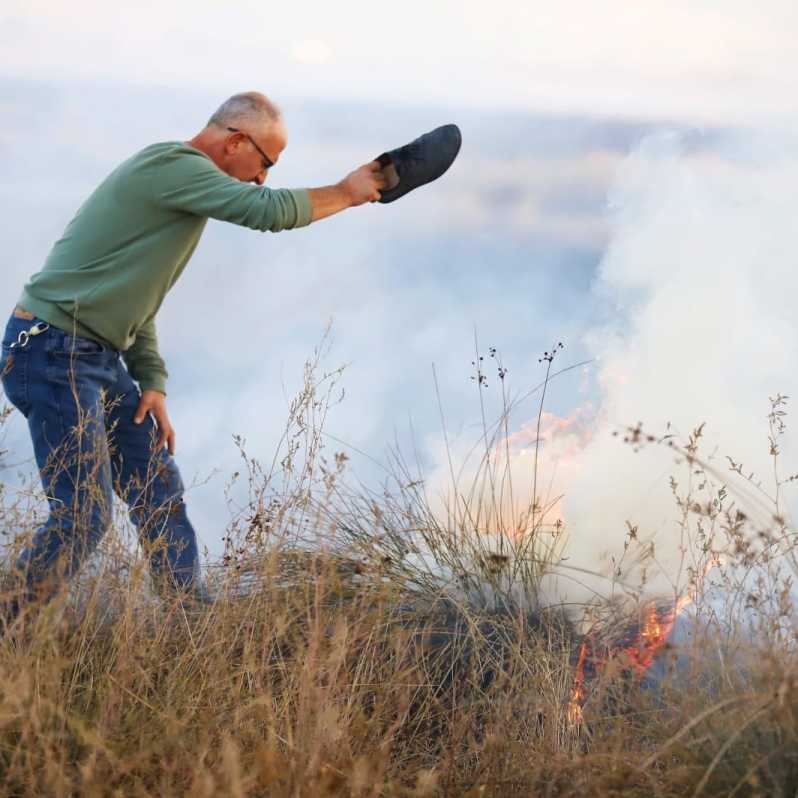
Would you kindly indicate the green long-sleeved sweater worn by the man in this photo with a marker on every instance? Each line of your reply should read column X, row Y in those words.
column 106, row 277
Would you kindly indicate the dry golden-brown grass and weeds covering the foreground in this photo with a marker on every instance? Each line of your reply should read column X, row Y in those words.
column 362, row 644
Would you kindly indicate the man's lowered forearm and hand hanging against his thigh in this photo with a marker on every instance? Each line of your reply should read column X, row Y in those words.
column 146, row 366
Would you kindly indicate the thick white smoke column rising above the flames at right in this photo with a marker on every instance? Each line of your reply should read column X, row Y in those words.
column 699, row 281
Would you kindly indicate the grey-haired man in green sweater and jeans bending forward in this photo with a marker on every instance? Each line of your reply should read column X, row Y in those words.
column 92, row 308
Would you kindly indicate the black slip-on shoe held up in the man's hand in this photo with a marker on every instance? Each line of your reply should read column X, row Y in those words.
column 419, row 162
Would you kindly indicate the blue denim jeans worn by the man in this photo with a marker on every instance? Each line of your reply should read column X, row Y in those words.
column 79, row 401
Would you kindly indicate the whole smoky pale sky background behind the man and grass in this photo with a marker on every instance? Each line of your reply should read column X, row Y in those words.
column 624, row 186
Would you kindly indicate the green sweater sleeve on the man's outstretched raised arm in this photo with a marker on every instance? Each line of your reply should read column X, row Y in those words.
column 189, row 181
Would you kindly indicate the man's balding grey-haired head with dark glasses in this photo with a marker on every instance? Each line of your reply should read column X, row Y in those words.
column 254, row 144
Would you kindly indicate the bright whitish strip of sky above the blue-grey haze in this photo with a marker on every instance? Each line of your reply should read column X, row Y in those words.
column 702, row 59
